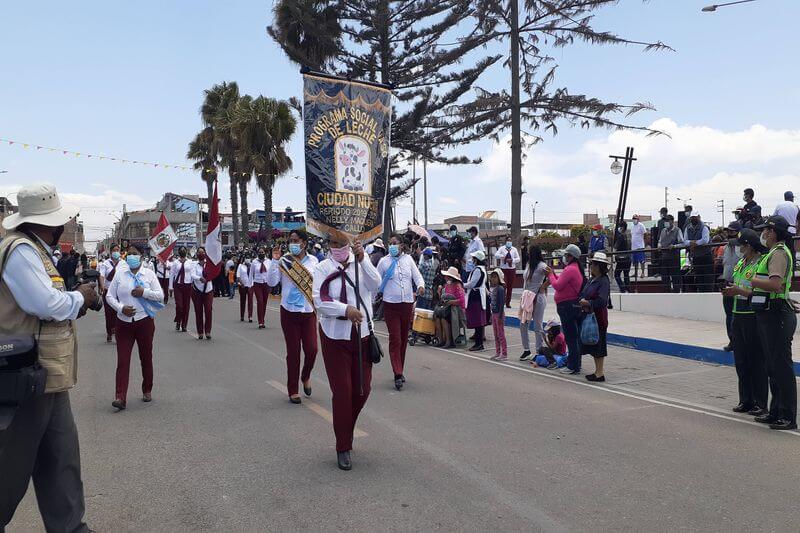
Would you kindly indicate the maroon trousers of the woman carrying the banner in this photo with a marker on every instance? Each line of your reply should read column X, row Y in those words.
column 341, row 365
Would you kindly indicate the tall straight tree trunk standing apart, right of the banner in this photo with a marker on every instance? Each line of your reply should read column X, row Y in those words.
column 516, row 140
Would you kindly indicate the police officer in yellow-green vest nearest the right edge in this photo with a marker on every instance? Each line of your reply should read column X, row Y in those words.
column 776, row 321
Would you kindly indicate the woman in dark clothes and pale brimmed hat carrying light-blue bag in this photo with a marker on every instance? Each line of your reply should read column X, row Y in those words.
column 594, row 300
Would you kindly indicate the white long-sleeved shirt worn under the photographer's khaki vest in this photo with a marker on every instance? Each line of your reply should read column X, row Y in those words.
column 29, row 283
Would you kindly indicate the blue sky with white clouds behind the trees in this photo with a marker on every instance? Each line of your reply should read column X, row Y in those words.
column 126, row 80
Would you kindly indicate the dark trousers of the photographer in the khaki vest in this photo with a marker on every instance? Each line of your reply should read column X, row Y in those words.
column 42, row 442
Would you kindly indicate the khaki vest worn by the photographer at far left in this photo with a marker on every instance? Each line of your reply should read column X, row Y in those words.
column 58, row 341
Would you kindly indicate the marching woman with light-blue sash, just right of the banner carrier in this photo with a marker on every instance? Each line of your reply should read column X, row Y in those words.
column 399, row 274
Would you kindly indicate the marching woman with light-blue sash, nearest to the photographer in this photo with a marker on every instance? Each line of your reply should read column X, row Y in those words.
column 136, row 295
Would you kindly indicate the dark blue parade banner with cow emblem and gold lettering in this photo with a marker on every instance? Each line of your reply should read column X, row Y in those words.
column 347, row 127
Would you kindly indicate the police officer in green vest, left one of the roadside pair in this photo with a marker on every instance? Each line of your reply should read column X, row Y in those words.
column 748, row 354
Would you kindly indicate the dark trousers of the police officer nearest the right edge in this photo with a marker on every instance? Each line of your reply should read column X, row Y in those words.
column 776, row 329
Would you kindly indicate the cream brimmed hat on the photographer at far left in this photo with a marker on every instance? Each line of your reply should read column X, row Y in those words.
column 39, row 204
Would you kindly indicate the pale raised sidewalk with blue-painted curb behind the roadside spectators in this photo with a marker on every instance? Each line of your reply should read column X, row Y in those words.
column 689, row 339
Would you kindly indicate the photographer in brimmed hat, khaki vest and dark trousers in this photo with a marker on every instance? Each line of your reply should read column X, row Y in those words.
column 42, row 440
